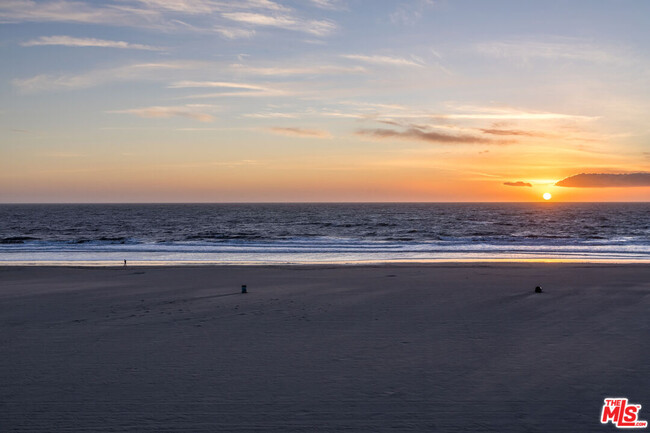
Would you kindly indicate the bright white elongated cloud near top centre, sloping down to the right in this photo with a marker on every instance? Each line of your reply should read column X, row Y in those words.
column 287, row 22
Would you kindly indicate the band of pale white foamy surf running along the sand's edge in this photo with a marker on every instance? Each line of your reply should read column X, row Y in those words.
column 315, row 250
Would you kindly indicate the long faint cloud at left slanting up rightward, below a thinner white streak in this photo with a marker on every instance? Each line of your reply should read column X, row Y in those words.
column 134, row 72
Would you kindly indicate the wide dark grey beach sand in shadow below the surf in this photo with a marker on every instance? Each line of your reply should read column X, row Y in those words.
column 372, row 348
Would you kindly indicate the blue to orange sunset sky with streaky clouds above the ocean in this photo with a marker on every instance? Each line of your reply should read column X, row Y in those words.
column 324, row 101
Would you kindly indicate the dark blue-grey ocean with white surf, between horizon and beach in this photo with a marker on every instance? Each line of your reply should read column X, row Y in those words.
column 323, row 233
